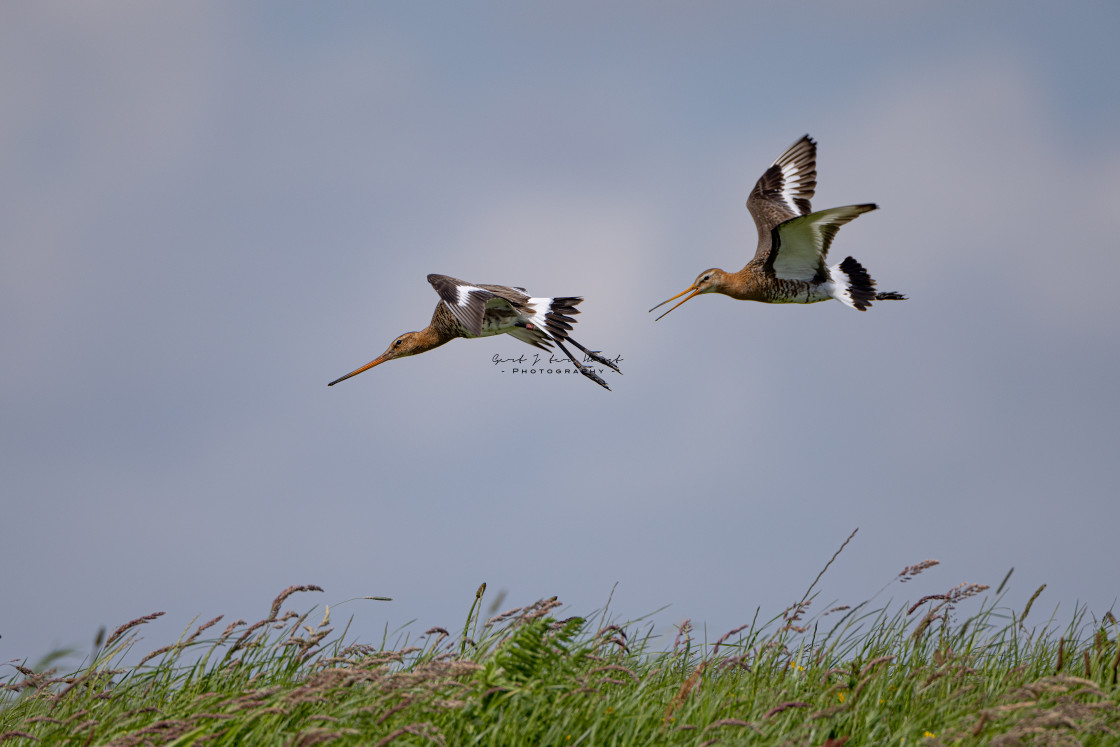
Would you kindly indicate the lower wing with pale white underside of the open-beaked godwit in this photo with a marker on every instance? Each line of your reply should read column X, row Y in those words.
column 800, row 246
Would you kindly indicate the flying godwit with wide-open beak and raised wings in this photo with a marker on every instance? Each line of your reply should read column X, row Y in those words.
column 789, row 265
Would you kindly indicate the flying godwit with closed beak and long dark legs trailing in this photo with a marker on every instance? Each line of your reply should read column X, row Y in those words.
column 470, row 311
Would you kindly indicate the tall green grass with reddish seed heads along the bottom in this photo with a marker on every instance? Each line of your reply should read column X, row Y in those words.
column 954, row 668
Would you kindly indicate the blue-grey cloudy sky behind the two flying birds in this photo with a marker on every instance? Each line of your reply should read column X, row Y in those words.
column 212, row 210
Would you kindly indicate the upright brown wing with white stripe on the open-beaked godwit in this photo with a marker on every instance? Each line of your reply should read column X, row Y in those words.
column 788, row 186
